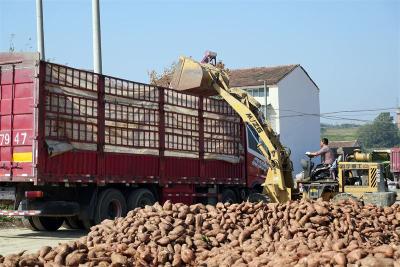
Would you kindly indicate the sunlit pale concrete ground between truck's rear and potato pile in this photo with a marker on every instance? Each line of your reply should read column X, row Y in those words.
column 14, row 240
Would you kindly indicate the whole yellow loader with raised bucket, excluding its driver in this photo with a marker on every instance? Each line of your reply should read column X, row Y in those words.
column 206, row 79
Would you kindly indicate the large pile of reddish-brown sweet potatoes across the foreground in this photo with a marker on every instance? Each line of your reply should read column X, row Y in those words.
column 297, row 233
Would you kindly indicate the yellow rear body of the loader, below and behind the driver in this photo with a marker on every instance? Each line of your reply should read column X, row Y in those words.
column 363, row 176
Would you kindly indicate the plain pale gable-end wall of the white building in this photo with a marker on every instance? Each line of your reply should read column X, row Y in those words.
column 299, row 131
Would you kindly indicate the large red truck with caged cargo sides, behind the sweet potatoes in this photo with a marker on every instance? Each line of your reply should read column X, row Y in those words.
column 78, row 147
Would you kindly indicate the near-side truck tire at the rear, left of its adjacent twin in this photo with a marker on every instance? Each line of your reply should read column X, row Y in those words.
column 111, row 204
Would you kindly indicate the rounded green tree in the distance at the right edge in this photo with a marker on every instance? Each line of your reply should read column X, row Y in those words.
column 381, row 133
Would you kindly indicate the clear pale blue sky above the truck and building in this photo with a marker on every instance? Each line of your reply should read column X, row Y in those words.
column 350, row 48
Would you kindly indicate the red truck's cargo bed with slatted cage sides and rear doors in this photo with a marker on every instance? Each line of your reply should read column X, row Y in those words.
column 64, row 125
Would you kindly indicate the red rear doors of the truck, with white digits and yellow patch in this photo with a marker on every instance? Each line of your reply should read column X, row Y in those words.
column 16, row 120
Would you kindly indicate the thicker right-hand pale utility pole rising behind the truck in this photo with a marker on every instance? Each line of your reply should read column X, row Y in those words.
column 97, row 65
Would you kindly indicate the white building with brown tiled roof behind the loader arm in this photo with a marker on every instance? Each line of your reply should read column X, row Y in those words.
column 290, row 102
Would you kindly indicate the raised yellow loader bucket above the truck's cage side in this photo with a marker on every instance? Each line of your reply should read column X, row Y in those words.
column 195, row 78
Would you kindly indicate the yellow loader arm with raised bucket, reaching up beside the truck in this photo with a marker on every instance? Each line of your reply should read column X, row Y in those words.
column 205, row 79
